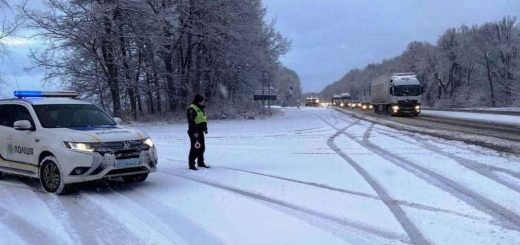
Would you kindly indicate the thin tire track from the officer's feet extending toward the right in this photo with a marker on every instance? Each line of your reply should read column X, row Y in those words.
column 361, row 194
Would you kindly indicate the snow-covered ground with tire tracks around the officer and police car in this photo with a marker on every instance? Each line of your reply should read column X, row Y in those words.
column 312, row 176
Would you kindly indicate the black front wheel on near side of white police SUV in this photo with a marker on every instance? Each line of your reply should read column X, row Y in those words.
column 51, row 177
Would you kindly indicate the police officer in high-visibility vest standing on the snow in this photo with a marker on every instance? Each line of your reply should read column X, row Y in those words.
column 198, row 126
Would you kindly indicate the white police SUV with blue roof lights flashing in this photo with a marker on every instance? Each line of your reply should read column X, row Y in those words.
column 61, row 140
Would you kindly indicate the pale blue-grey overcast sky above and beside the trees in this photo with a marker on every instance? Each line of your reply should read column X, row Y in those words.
column 329, row 37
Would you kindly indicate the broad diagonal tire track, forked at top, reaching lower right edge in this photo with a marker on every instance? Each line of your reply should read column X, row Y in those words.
column 509, row 219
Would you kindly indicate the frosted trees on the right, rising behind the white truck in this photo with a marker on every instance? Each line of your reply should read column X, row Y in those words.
column 469, row 66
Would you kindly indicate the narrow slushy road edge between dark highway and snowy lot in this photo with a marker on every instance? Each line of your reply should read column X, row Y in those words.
column 495, row 143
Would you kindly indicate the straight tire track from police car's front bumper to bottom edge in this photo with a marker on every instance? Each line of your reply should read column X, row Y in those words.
column 356, row 225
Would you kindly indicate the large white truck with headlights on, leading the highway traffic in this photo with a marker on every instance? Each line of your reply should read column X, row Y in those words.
column 397, row 94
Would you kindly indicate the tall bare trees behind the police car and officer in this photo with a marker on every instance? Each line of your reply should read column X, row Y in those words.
column 141, row 57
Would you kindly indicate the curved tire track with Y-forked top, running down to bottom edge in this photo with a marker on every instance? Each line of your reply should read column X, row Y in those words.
column 413, row 232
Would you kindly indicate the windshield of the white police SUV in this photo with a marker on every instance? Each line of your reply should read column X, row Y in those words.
column 72, row 116
